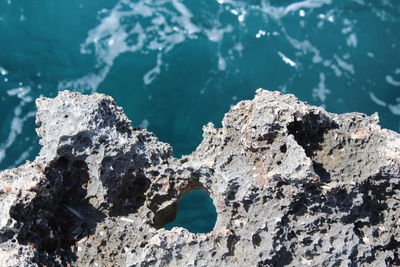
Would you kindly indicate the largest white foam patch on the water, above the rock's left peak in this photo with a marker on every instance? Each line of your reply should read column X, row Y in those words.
column 113, row 37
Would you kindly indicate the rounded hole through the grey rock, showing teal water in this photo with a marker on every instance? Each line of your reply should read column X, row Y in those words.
column 196, row 213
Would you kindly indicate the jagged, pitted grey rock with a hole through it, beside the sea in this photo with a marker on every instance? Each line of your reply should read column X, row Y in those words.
column 293, row 185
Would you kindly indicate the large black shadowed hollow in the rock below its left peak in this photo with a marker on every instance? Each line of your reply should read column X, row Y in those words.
column 60, row 215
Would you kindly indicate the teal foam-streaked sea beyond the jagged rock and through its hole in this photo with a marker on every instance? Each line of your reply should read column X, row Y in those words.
column 174, row 65
